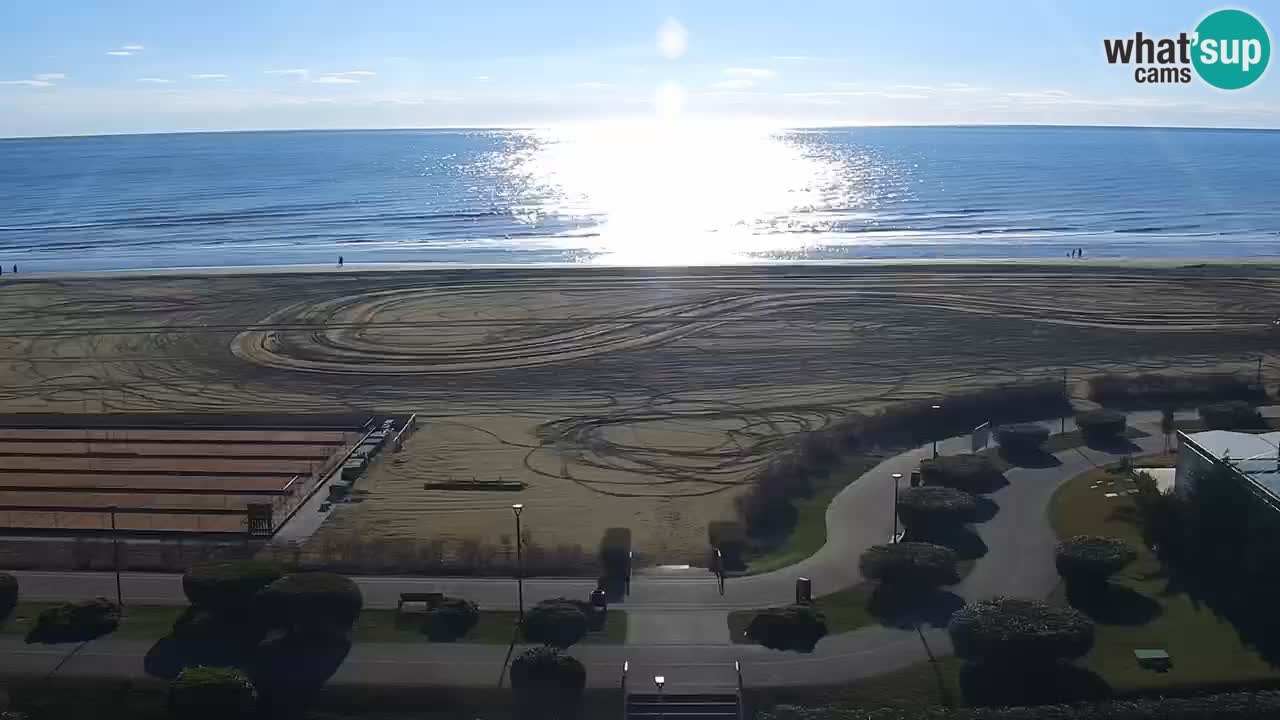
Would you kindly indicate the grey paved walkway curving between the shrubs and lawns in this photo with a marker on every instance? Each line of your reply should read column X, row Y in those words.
column 676, row 623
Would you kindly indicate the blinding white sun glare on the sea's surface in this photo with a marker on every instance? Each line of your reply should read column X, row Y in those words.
column 679, row 192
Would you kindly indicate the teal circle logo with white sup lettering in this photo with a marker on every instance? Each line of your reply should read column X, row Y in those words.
column 1232, row 49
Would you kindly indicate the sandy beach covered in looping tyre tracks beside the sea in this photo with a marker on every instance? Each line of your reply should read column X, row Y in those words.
column 638, row 398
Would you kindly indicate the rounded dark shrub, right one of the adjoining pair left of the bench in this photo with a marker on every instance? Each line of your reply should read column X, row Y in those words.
column 312, row 605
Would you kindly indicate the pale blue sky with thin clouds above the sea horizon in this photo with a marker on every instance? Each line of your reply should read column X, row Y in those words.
column 84, row 67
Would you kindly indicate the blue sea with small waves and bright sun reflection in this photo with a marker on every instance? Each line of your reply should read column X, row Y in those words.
column 637, row 197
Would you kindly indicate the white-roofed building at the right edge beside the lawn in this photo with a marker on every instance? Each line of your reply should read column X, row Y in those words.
column 1254, row 458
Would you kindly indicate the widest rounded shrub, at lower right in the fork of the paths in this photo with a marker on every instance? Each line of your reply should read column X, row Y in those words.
column 1008, row 631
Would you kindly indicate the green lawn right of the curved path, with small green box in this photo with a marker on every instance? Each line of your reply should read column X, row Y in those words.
column 1205, row 650
